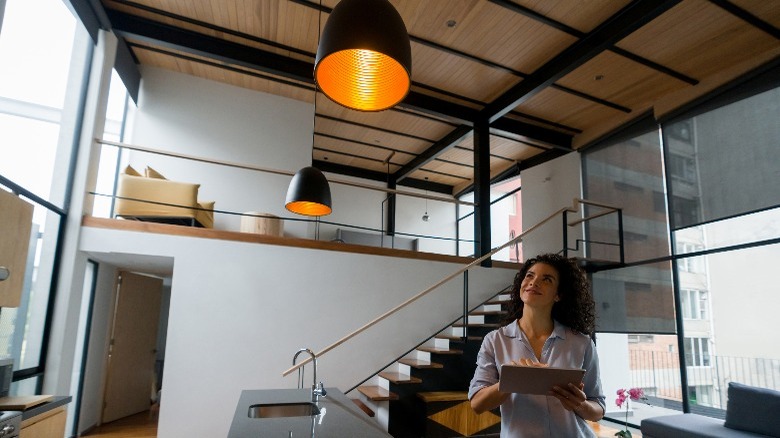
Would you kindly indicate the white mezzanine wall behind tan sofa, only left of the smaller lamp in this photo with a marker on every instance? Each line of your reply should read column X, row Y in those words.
column 193, row 116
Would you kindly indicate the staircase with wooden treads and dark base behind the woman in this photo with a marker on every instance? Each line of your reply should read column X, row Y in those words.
column 425, row 393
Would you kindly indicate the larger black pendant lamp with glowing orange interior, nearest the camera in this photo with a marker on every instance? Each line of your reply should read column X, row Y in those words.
column 364, row 59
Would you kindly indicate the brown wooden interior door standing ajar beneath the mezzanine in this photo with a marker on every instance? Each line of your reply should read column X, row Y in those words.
column 133, row 346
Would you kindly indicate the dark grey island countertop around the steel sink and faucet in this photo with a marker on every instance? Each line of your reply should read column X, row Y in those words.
column 339, row 416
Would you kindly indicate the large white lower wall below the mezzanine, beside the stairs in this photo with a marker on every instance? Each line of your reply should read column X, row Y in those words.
column 239, row 312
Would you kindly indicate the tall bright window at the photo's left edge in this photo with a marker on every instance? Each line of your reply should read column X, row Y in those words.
column 42, row 48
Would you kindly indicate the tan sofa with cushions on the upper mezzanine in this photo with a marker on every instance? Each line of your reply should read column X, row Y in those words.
column 152, row 197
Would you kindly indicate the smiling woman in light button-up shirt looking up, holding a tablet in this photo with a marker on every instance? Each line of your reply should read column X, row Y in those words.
column 551, row 320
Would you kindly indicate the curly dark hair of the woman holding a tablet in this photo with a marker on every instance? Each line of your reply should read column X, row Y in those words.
column 576, row 308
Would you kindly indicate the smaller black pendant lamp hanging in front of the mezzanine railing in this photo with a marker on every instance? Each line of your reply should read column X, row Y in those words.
column 309, row 193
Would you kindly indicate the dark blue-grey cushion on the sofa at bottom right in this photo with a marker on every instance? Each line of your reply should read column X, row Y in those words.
column 753, row 409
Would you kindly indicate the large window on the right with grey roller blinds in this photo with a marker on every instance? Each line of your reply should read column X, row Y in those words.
column 712, row 173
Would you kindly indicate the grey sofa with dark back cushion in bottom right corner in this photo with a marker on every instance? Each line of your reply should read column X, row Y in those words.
column 750, row 412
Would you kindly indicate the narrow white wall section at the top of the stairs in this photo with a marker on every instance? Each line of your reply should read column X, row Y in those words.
column 546, row 189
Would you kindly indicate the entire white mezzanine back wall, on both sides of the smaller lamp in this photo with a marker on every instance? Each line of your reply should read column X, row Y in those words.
column 206, row 119
